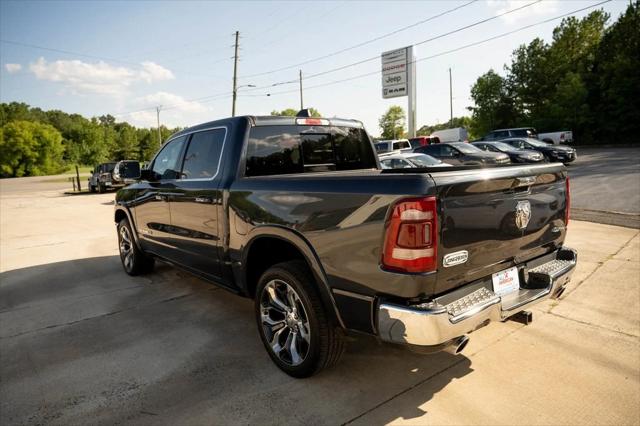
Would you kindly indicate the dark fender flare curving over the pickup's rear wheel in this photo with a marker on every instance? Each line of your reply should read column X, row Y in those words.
column 295, row 238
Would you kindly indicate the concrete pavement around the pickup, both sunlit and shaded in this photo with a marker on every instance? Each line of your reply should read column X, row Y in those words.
column 82, row 342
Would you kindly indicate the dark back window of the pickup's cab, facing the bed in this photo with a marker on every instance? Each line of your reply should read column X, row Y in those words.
column 274, row 150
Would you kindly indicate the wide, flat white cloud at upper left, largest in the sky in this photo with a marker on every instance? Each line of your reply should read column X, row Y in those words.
column 100, row 77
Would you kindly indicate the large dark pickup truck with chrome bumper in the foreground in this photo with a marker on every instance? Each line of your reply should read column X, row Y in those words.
column 296, row 214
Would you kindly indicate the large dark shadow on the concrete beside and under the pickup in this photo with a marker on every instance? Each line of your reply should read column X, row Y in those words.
column 81, row 342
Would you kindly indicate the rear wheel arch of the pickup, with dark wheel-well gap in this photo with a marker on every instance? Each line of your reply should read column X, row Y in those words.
column 284, row 244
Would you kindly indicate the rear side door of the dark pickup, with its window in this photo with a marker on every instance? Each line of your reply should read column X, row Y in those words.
column 196, row 203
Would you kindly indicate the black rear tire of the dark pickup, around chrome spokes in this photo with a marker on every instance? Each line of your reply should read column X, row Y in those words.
column 325, row 340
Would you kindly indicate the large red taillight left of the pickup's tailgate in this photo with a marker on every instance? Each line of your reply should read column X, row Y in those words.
column 410, row 241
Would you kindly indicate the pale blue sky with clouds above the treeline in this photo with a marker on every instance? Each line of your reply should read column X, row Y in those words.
column 126, row 57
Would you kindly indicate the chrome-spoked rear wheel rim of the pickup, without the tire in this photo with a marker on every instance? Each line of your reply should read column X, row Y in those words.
column 285, row 322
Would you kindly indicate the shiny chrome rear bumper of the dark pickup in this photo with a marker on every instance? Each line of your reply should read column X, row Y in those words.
column 464, row 310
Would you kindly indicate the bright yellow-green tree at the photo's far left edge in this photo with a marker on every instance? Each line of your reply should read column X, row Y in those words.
column 29, row 149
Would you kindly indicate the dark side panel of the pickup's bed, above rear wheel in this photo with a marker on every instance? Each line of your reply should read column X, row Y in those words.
column 340, row 215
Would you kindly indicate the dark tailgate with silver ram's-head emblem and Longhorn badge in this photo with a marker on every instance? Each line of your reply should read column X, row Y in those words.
column 499, row 216
